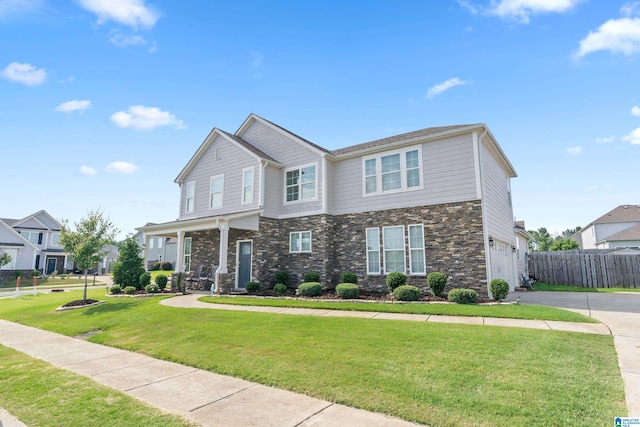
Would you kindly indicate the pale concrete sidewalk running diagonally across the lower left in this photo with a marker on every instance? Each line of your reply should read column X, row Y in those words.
column 204, row 397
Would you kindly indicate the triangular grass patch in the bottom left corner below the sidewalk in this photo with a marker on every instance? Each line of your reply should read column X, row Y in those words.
column 42, row 395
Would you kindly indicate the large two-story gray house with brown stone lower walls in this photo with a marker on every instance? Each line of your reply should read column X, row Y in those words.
column 264, row 199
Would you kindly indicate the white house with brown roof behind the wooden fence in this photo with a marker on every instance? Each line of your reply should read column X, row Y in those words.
column 617, row 229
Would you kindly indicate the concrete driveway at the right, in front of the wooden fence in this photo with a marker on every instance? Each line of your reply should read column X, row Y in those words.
column 620, row 312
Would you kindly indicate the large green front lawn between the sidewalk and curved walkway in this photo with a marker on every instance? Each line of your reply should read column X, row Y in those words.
column 436, row 374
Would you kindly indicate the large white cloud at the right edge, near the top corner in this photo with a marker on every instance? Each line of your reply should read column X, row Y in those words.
column 616, row 35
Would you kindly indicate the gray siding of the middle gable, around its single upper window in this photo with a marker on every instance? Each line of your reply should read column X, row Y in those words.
column 290, row 153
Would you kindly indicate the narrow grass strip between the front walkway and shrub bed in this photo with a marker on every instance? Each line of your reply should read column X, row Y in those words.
column 504, row 310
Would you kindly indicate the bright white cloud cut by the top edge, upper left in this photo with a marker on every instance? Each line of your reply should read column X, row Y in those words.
column 133, row 13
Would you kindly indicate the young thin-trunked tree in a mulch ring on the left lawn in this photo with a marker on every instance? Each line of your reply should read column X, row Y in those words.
column 86, row 244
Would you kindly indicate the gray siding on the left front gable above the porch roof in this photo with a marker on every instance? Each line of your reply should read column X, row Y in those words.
column 231, row 163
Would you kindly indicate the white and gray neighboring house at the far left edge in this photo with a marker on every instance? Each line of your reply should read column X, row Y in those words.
column 33, row 243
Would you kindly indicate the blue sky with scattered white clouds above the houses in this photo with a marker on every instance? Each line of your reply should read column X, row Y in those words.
column 104, row 101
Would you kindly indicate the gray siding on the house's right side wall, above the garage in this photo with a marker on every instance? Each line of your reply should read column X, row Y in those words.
column 498, row 214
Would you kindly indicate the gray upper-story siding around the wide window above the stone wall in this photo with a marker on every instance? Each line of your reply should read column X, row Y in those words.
column 448, row 176
